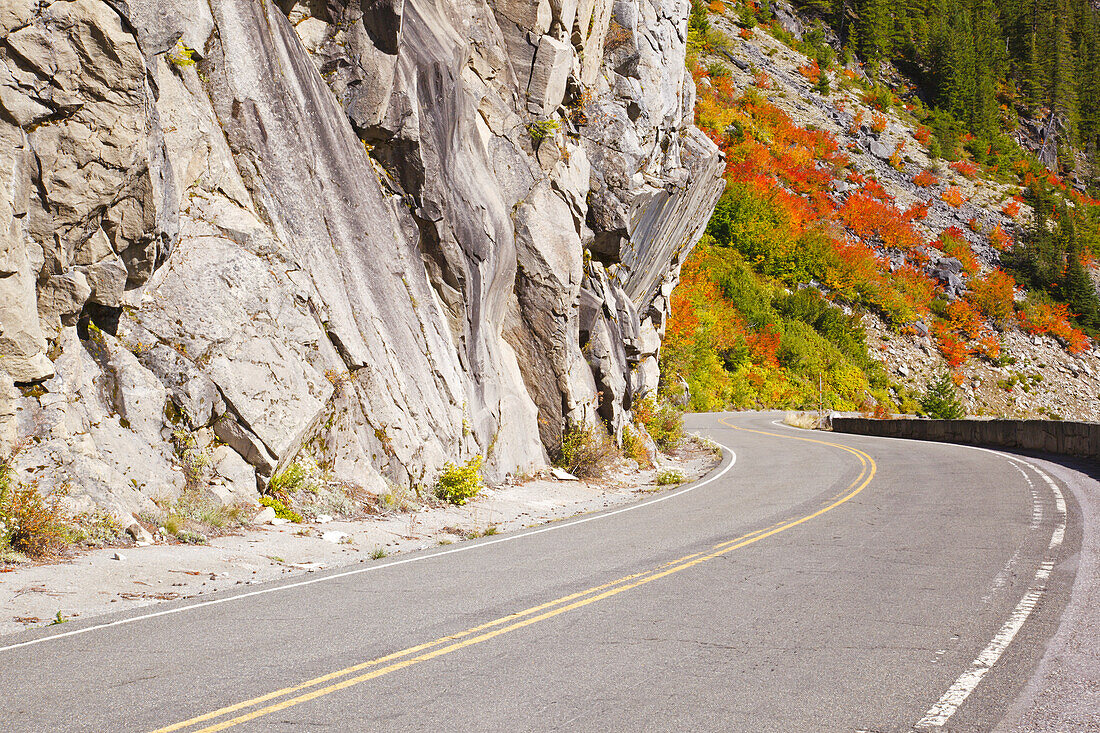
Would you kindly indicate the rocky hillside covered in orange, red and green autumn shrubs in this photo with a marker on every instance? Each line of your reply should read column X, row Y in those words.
column 856, row 255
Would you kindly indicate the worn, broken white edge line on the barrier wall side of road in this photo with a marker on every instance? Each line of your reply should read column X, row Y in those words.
column 966, row 683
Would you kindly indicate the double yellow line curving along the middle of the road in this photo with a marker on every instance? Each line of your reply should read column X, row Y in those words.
column 391, row 663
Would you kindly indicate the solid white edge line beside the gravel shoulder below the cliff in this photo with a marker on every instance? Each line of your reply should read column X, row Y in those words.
column 372, row 568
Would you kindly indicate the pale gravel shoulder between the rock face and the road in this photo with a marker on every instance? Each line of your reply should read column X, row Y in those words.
column 127, row 577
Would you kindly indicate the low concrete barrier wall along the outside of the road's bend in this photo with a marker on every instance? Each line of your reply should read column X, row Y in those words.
column 1077, row 440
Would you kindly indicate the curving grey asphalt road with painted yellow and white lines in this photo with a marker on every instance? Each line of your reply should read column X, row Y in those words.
column 820, row 583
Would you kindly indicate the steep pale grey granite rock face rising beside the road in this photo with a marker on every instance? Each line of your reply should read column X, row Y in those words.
column 383, row 236
